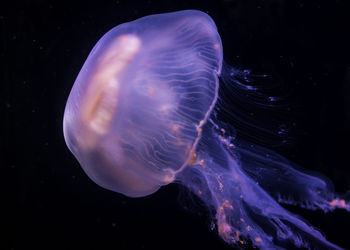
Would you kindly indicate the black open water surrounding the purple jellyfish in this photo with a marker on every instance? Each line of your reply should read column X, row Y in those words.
column 49, row 203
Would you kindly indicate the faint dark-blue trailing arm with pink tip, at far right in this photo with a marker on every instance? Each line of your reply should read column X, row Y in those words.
column 281, row 179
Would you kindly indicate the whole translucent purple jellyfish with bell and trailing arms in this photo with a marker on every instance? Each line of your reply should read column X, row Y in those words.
column 141, row 114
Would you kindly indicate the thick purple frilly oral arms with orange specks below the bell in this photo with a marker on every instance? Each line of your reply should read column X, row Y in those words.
column 244, row 210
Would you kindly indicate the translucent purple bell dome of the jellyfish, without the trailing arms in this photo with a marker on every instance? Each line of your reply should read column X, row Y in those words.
column 135, row 113
